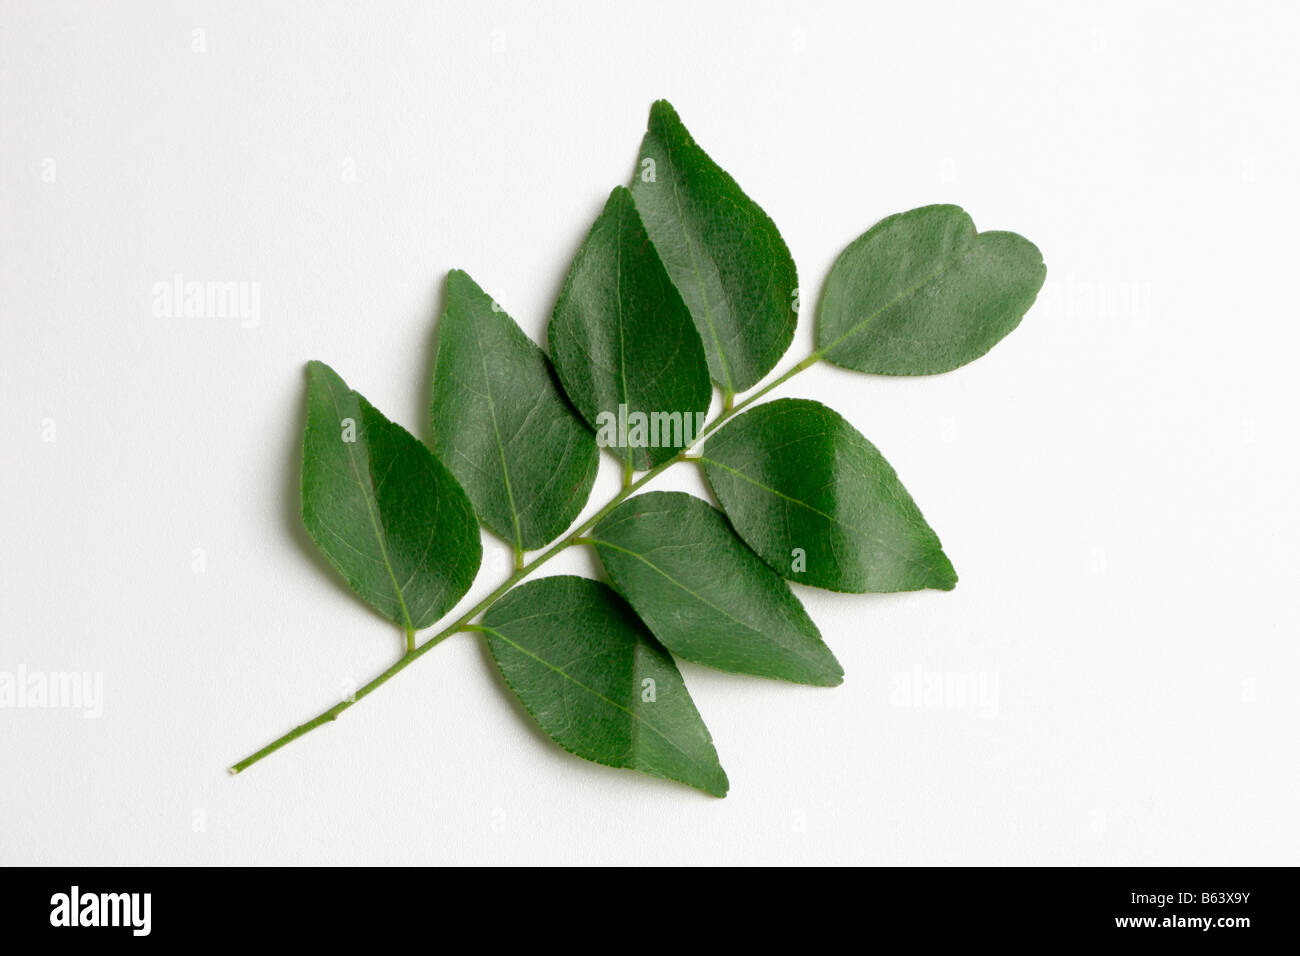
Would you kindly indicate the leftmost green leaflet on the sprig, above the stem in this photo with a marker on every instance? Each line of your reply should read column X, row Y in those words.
column 382, row 508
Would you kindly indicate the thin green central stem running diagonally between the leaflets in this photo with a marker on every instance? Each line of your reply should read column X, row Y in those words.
column 462, row 624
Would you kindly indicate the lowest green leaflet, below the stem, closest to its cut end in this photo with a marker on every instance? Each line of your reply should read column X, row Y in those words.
column 597, row 682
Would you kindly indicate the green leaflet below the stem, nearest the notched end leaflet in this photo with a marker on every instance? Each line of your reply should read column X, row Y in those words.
column 820, row 504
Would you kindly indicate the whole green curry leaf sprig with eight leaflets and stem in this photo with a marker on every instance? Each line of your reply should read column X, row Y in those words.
column 683, row 284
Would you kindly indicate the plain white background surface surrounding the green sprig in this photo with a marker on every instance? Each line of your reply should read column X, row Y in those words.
column 1116, row 483
